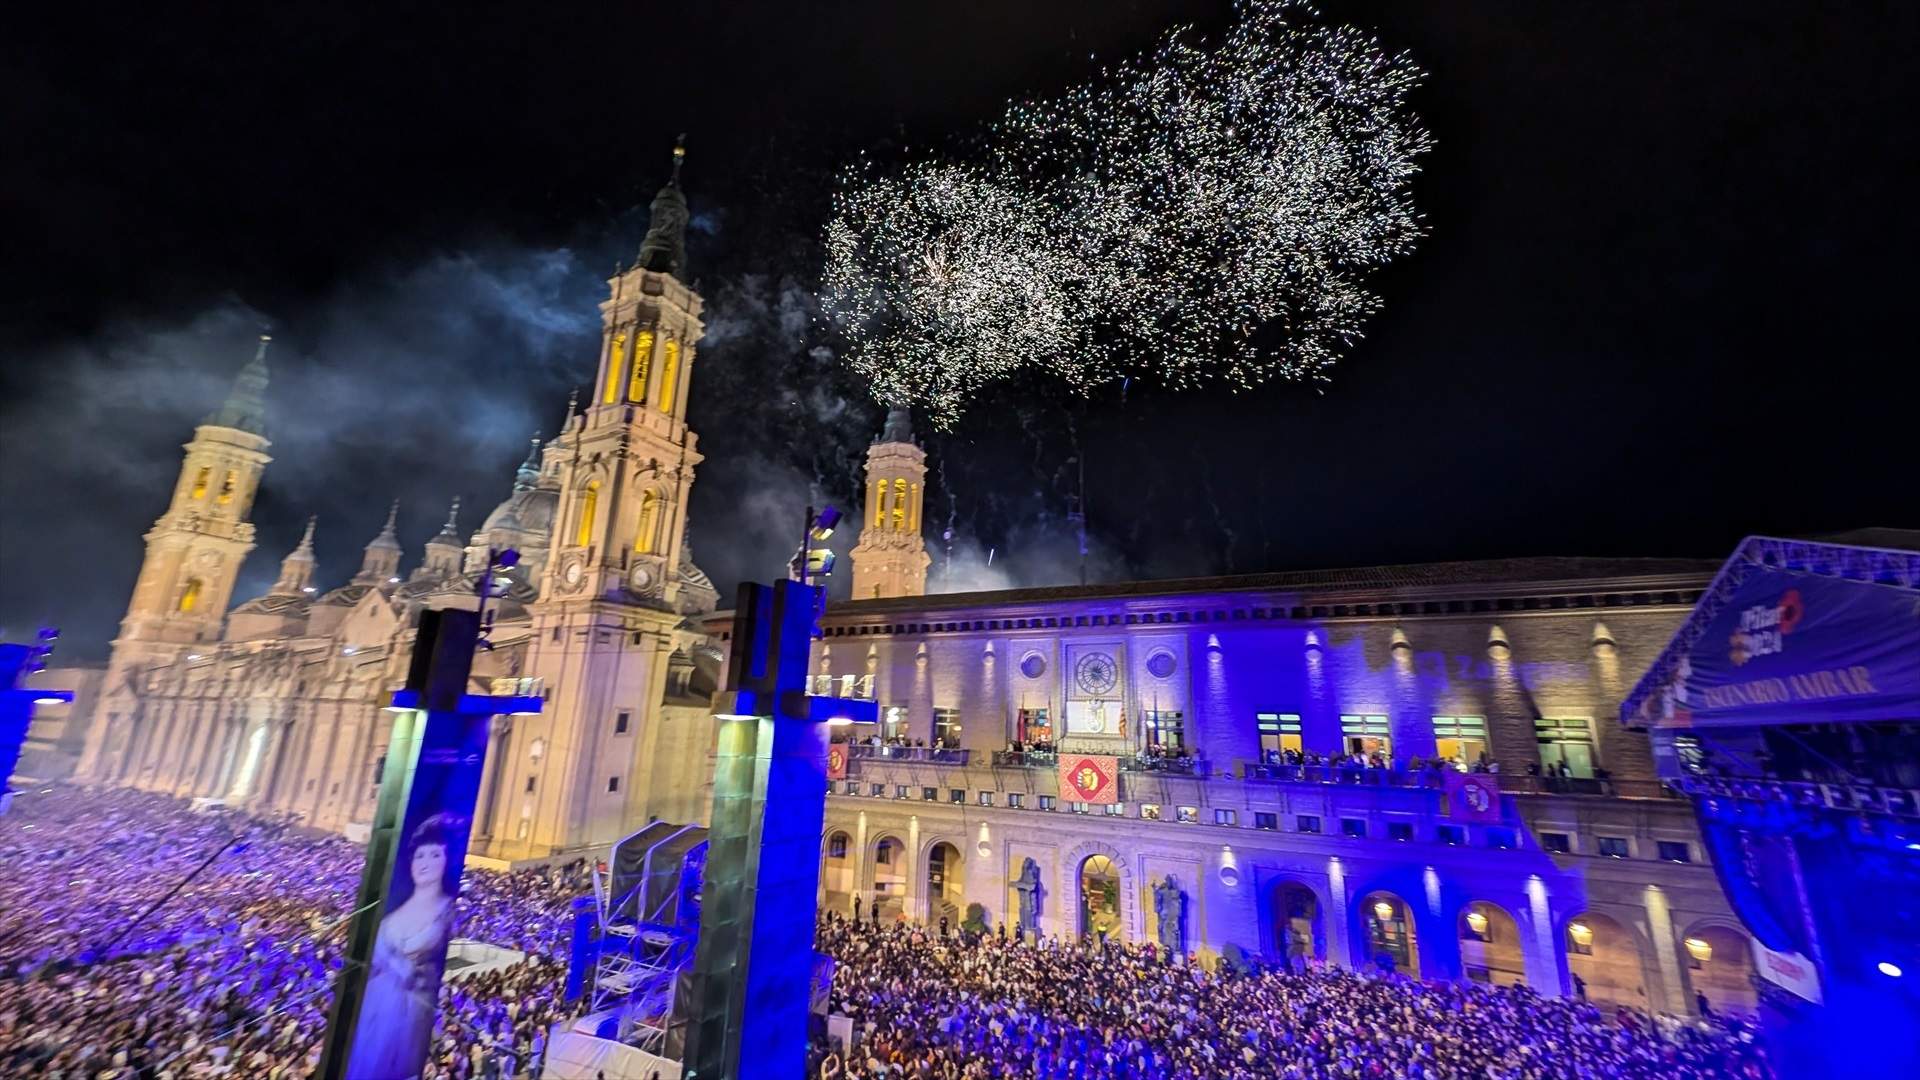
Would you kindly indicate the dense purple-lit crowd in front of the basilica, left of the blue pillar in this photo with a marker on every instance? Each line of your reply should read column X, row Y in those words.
column 110, row 968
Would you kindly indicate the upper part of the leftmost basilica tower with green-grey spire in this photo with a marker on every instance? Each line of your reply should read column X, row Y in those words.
column 195, row 551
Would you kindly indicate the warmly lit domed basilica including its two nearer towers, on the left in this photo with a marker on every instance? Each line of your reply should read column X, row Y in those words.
column 279, row 704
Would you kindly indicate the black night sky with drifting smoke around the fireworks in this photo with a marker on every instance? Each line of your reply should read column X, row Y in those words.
column 1664, row 305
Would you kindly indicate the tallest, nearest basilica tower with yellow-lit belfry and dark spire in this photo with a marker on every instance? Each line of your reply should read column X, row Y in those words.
column 612, row 601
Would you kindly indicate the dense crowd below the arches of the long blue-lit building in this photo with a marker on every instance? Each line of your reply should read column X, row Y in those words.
column 936, row 1006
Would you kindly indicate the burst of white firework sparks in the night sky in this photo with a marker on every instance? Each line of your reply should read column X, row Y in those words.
column 1205, row 214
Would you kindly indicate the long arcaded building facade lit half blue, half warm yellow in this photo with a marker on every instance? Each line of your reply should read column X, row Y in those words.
column 1585, row 877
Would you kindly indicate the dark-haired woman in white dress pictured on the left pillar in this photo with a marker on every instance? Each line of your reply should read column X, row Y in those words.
column 396, row 1023
